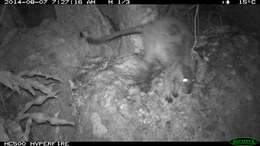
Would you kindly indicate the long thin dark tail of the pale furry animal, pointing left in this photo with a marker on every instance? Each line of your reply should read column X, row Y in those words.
column 106, row 38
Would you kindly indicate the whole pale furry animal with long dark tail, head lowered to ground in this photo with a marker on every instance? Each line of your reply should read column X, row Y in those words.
column 167, row 41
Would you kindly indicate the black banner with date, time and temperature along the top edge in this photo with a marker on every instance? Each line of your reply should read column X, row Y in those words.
column 124, row 2
